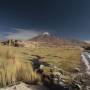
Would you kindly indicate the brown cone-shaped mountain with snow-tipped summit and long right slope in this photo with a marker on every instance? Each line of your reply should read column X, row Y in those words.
column 51, row 40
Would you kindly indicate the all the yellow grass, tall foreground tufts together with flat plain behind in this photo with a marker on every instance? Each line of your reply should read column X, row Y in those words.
column 16, row 62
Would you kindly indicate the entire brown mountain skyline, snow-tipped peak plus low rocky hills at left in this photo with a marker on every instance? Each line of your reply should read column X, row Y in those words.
column 47, row 39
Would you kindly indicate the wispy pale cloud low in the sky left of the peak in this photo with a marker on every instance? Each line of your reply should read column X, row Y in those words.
column 22, row 34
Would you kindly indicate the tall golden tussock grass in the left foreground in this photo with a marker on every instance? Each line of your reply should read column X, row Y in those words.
column 12, row 69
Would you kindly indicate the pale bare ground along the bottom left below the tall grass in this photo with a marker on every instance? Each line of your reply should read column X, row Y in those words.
column 23, row 86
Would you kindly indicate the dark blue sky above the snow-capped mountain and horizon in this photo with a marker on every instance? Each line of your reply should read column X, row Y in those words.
column 67, row 18
